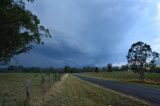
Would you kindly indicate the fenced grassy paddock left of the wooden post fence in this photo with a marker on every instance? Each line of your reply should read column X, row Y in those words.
column 12, row 88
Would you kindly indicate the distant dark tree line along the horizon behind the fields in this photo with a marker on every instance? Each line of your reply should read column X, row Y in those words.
column 69, row 69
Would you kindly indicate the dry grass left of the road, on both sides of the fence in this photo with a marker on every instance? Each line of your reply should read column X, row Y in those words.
column 70, row 91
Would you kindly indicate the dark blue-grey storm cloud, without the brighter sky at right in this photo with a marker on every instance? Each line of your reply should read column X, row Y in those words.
column 85, row 32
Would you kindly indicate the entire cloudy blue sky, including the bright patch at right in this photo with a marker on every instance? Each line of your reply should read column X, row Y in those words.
column 92, row 32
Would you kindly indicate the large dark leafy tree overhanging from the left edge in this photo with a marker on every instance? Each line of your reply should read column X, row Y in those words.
column 19, row 29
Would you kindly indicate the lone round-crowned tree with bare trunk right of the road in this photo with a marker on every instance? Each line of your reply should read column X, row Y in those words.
column 138, row 55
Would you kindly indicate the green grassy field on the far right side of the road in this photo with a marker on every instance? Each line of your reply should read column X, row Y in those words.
column 151, row 79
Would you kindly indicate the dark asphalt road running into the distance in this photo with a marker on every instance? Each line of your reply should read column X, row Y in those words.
column 151, row 95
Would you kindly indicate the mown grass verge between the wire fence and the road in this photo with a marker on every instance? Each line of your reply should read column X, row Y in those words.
column 73, row 92
